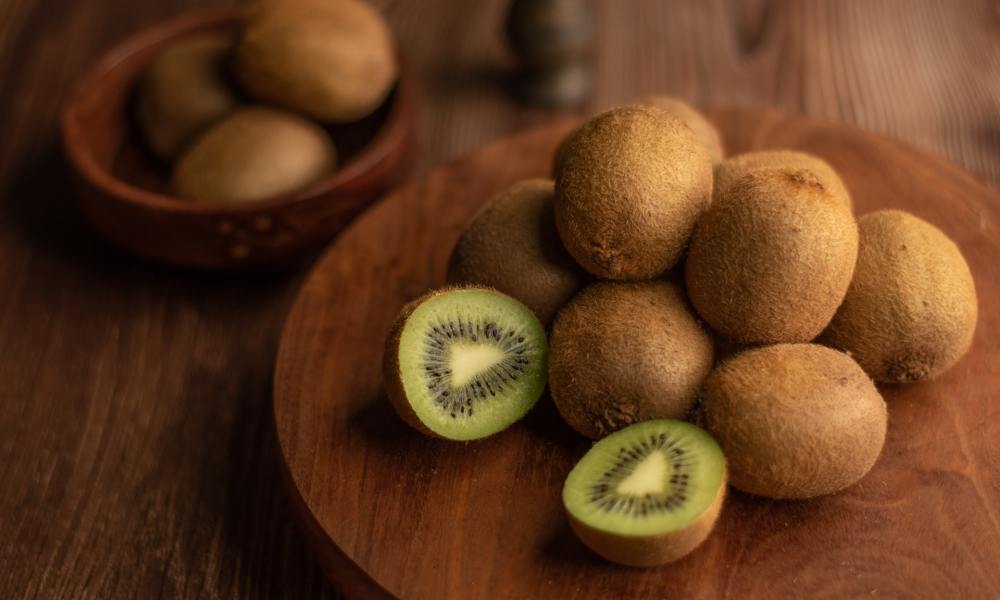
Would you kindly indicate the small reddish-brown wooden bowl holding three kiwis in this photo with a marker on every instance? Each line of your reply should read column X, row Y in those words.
column 122, row 187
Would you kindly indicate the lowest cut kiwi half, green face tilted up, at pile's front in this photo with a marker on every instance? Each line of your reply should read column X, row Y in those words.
column 648, row 494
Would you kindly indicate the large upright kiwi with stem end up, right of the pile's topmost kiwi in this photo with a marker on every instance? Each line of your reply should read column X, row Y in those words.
column 772, row 259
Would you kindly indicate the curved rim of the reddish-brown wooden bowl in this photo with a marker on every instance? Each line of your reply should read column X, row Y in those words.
column 78, row 150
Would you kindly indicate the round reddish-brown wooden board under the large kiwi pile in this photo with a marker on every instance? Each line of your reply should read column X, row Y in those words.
column 390, row 512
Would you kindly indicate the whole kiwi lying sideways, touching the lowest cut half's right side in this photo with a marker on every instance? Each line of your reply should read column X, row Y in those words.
column 794, row 420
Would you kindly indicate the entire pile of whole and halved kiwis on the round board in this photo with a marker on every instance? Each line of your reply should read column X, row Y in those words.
column 708, row 321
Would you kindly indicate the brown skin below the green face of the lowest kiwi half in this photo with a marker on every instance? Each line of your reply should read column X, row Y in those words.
column 652, row 550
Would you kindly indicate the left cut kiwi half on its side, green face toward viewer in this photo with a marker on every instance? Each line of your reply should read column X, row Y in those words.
column 464, row 363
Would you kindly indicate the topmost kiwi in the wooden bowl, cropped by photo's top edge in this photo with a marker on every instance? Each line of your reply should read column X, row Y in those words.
column 332, row 61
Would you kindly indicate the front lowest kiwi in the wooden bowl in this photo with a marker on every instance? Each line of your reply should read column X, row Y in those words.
column 256, row 153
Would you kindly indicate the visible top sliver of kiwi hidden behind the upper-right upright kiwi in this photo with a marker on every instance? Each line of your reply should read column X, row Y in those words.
column 732, row 169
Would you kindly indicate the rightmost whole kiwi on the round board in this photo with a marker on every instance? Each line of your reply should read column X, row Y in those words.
column 911, row 310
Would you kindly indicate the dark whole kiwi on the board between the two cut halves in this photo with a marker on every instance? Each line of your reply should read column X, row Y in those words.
column 624, row 352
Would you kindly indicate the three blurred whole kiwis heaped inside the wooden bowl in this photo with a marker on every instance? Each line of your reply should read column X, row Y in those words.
column 247, row 116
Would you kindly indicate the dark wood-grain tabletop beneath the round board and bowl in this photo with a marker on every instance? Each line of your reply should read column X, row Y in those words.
column 137, row 454
